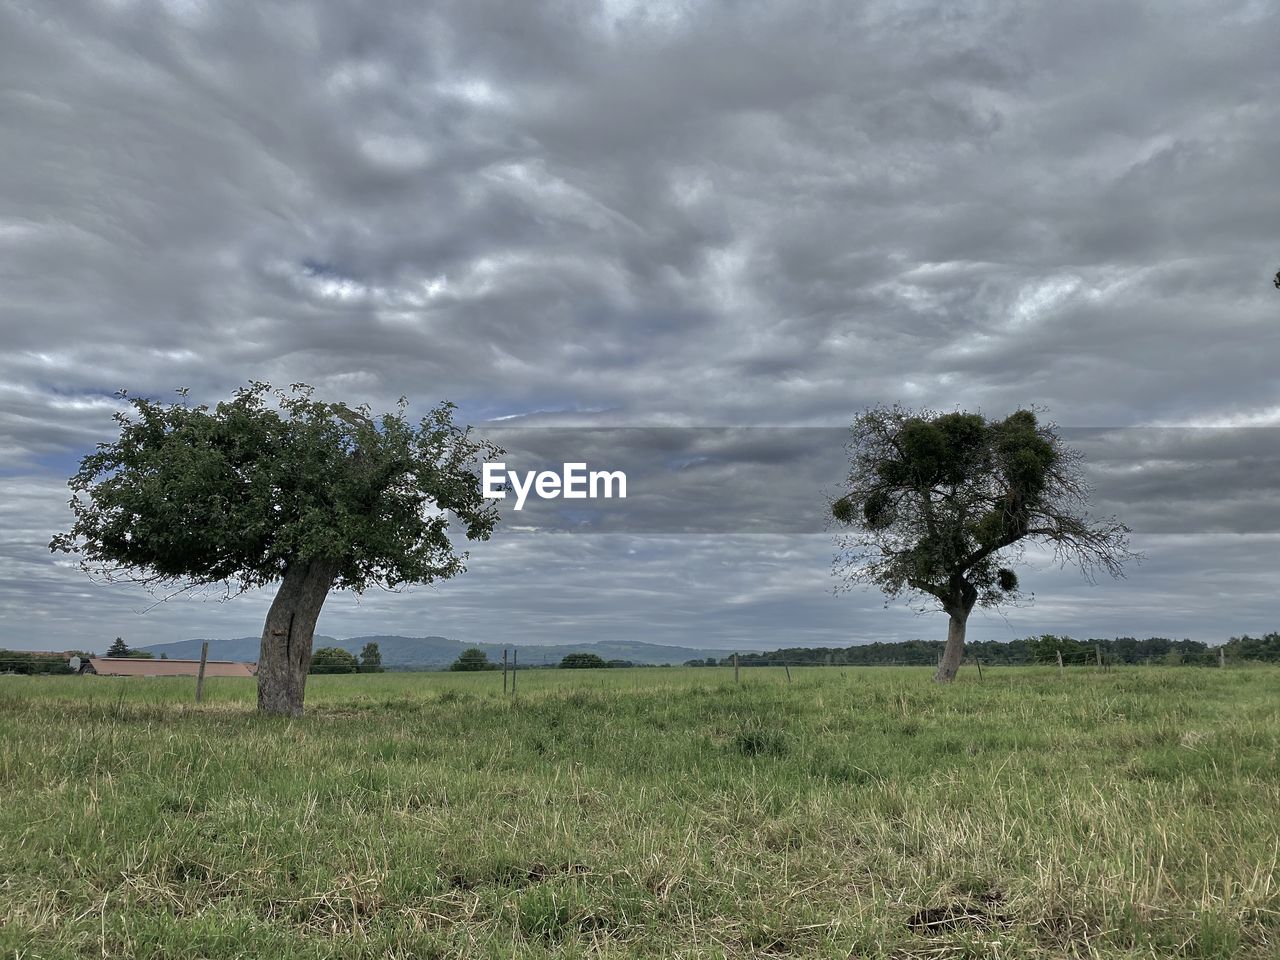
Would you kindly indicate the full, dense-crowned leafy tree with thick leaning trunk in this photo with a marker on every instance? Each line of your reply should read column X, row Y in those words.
column 276, row 486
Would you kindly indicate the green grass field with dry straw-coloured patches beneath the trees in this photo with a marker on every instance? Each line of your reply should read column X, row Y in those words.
column 647, row 813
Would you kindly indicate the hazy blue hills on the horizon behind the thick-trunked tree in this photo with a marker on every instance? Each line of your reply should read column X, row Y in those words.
column 437, row 652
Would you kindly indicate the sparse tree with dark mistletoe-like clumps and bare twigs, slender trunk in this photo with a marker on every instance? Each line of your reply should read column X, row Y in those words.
column 941, row 505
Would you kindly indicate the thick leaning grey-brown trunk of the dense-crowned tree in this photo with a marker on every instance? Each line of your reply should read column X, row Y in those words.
column 285, row 657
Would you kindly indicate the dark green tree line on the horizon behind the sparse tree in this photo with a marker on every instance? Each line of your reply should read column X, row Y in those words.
column 1034, row 650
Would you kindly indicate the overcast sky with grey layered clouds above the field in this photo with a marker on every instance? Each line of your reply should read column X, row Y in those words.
column 685, row 214
